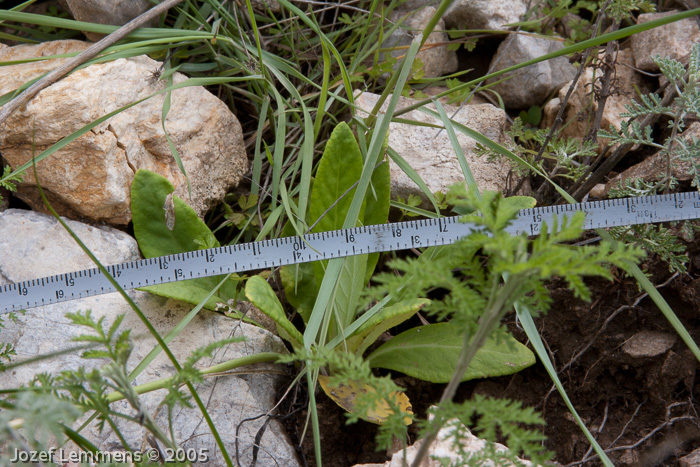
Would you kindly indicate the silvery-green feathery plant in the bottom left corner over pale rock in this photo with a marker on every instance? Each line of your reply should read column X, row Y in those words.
column 45, row 412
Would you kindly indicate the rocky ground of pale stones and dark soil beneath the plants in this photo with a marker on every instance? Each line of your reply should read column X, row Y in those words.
column 629, row 375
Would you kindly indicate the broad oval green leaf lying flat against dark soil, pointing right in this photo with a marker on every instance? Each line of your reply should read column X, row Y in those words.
column 431, row 352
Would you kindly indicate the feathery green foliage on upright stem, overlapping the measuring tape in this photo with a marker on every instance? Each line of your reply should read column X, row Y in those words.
column 485, row 274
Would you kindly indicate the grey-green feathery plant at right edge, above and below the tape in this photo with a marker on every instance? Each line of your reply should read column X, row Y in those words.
column 676, row 149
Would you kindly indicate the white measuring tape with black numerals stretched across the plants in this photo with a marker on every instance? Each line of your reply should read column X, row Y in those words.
column 327, row 245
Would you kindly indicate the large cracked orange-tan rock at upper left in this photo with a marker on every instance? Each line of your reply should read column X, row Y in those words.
column 90, row 178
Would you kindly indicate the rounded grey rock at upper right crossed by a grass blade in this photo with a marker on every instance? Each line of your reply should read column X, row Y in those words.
column 531, row 85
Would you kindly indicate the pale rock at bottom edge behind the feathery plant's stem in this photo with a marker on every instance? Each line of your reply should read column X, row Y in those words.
column 442, row 451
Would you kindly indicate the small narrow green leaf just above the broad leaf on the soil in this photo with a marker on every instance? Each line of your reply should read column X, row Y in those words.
column 386, row 319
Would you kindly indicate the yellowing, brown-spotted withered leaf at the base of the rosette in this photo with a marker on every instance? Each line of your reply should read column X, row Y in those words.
column 346, row 394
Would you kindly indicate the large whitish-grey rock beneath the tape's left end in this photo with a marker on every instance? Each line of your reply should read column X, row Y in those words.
column 38, row 246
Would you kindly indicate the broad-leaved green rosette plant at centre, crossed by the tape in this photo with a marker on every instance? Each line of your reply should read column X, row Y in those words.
column 426, row 352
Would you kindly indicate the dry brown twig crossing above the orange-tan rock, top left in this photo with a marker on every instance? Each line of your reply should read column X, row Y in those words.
column 83, row 57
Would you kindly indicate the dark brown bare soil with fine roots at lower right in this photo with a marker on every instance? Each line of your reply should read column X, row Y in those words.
column 627, row 372
